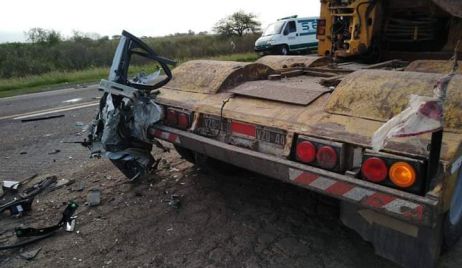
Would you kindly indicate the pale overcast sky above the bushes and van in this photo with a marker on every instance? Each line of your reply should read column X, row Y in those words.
column 141, row 17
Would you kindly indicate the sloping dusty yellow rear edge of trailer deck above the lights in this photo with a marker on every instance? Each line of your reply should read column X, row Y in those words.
column 311, row 120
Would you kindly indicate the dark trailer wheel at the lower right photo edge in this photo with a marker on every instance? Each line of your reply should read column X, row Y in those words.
column 452, row 229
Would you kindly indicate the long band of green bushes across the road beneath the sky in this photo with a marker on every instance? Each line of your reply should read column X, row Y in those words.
column 26, row 59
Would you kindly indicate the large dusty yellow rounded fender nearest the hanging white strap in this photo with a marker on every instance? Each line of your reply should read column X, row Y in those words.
column 380, row 95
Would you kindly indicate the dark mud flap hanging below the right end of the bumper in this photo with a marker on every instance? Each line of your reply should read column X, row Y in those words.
column 402, row 242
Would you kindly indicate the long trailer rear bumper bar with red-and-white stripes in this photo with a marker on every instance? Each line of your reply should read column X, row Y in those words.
column 404, row 206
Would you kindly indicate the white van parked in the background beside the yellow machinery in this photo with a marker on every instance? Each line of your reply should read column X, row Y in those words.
column 288, row 35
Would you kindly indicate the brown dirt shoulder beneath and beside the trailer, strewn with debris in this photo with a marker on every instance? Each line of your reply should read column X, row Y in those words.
column 234, row 220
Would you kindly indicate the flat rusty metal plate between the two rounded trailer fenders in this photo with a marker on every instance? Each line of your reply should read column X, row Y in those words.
column 300, row 91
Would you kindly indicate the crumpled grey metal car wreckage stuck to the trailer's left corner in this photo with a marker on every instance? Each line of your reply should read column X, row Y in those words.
column 127, row 109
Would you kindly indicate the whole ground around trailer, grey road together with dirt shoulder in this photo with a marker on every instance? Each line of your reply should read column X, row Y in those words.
column 234, row 220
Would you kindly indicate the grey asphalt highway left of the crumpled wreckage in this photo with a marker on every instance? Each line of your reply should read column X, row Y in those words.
column 38, row 147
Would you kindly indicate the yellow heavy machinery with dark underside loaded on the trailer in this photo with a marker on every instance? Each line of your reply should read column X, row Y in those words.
column 375, row 29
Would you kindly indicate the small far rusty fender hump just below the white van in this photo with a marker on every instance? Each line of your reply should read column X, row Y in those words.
column 283, row 62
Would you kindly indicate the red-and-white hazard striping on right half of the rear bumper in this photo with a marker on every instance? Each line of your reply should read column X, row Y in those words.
column 351, row 192
